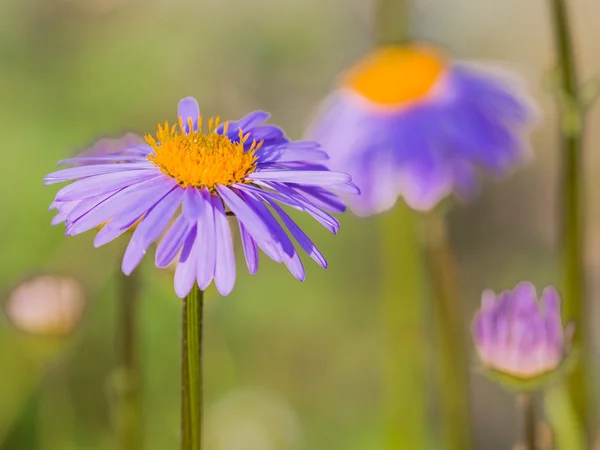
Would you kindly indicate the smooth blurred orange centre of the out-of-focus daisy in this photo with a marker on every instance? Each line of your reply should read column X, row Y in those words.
column 395, row 75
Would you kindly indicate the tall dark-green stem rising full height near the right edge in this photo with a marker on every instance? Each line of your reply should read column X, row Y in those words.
column 572, row 214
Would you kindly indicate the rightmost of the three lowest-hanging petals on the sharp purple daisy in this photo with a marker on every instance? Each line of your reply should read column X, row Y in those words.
column 225, row 260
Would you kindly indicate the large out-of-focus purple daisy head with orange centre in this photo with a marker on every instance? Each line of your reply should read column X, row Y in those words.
column 407, row 121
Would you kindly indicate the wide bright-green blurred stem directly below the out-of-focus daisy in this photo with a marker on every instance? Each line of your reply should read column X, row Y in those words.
column 403, row 315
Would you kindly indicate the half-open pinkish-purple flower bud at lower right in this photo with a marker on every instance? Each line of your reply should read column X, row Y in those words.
column 517, row 336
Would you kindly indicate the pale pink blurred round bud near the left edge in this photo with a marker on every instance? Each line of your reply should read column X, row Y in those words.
column 46, row 305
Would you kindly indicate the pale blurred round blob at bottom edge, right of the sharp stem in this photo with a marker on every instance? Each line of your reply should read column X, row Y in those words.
column 252, row 419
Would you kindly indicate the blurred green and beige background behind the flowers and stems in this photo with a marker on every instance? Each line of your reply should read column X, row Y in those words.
column 287, row 366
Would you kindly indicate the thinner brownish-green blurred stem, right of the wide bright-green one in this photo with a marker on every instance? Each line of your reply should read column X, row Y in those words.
column 452, row 374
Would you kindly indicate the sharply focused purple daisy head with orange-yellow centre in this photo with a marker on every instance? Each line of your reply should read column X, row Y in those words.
column 187, row 182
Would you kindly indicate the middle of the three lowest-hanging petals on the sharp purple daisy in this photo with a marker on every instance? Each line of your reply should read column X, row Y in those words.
column 206, row 236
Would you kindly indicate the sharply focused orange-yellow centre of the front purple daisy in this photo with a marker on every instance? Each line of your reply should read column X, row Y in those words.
column 202, row 159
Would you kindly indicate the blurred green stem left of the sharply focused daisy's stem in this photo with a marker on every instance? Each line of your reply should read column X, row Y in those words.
column 129, row 409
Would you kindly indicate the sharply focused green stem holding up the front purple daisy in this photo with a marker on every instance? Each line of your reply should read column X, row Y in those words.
column 191, row 371
